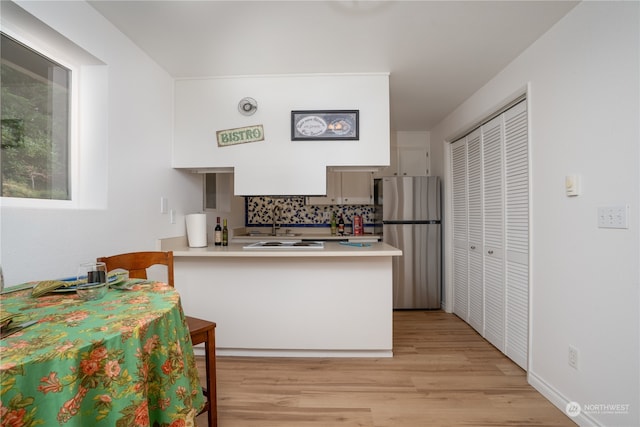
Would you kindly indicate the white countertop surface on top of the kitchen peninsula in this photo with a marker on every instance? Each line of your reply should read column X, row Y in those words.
column 331, row 249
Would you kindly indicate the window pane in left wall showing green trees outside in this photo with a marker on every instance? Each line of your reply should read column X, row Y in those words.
column 35, row 124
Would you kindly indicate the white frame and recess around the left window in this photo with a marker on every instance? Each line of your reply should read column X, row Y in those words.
column 87, row 172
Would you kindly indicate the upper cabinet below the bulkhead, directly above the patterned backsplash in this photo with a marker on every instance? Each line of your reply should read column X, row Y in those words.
column 346, row 188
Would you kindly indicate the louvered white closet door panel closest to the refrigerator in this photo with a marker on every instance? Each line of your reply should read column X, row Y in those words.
column 460, row 229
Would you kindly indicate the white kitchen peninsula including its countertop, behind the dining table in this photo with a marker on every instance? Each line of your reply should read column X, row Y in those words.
column 329, row 302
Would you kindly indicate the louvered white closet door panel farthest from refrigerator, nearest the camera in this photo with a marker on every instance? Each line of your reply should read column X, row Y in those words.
column 517, row 234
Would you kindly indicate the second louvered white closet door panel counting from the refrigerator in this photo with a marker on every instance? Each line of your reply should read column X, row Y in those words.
column 474, row 201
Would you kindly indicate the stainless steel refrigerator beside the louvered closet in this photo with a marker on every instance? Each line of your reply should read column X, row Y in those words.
column 411, row 222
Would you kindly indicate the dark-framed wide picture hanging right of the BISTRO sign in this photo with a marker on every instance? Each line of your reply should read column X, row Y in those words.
column 324, row 125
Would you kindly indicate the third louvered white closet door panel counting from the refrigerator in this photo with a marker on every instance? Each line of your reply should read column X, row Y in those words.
column 493, row 210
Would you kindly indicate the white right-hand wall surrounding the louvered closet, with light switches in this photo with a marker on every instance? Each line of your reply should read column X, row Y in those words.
column 583, row 91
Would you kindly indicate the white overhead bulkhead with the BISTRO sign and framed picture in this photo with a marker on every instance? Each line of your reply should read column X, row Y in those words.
column 278, row 165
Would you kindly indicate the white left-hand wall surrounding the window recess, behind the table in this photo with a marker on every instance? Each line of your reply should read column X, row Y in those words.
column 41, row 243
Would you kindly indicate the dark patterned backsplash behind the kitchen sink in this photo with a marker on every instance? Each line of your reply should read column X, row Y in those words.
column 294, row 212
